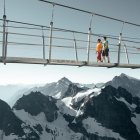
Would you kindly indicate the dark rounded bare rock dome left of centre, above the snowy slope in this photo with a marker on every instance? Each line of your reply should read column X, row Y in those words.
column 36, row 103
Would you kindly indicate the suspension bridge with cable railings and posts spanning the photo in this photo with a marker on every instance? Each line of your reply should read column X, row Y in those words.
column 30, row 43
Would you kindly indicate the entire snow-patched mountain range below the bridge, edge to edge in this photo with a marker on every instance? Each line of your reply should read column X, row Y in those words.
column 109, row 113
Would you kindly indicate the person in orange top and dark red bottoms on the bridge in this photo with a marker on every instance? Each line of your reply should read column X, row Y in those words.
column 99, row 50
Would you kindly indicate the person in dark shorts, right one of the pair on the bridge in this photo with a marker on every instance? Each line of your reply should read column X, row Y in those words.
column 105, row 52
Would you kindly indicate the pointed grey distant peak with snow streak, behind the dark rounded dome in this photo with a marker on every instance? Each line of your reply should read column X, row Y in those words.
column 61, row 89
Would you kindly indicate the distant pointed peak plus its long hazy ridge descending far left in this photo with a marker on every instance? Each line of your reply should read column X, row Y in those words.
column 58, row 90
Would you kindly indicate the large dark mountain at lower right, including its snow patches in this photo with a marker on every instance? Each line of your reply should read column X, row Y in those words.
column 108, row 116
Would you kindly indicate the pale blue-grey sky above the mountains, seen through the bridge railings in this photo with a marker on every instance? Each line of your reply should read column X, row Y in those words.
column 36, row 12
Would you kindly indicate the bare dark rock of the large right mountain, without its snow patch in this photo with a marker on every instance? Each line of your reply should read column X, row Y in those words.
column 110, row 112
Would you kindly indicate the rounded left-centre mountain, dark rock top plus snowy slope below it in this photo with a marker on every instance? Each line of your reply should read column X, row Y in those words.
column 43, row 115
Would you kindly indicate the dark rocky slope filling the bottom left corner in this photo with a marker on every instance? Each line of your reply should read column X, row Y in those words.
column 11, row 125
